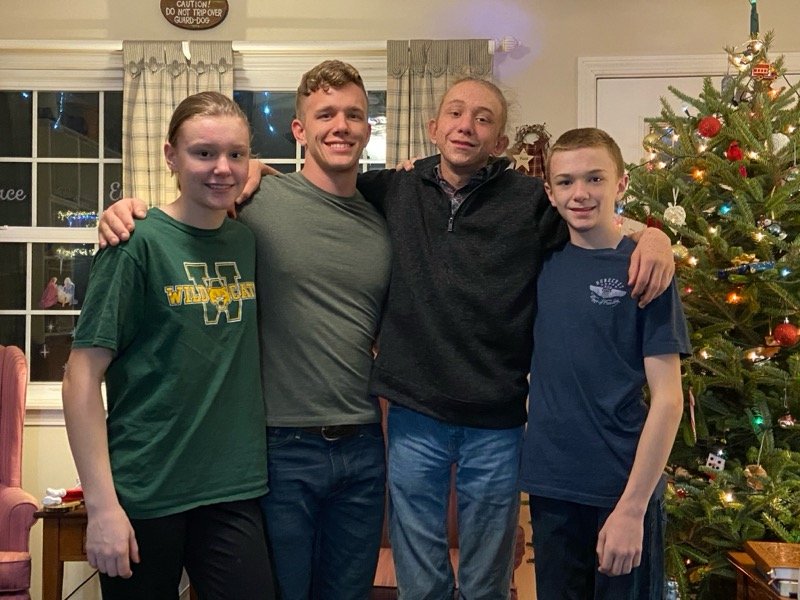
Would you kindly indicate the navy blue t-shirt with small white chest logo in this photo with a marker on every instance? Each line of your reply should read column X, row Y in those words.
column 586, row 407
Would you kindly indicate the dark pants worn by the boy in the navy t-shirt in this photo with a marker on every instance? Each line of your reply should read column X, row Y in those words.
column 565, row 558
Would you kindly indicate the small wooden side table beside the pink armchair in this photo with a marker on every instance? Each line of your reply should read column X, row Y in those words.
column 63, row 539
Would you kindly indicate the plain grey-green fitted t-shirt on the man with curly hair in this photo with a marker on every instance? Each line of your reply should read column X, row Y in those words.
column 323, row 270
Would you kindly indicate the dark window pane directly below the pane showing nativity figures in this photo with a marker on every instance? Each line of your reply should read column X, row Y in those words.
column 51, row 342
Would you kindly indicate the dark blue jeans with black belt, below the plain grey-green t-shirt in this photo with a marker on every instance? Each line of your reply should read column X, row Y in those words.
column 324, row 511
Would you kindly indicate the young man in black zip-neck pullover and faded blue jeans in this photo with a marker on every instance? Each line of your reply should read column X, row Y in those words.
column 468, row 238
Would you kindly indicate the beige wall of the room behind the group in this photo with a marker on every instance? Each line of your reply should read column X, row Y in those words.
column 540, row 76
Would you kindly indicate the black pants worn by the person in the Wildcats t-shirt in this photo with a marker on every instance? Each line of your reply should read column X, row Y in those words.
column 222, row 547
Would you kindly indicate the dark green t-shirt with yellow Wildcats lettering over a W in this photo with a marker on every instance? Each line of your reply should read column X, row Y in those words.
column 186, row 419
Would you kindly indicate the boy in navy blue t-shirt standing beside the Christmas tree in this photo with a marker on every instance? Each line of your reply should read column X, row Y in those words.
column 594, row 452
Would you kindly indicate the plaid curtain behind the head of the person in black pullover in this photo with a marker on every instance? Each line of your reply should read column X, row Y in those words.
column 418, row 74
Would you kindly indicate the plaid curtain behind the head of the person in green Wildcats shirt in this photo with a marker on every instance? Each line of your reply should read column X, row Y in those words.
column 157, row 77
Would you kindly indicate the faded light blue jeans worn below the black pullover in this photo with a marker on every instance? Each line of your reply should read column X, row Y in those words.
column 421, row 453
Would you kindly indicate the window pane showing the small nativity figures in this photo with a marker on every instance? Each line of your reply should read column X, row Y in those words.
column 60, row 275
